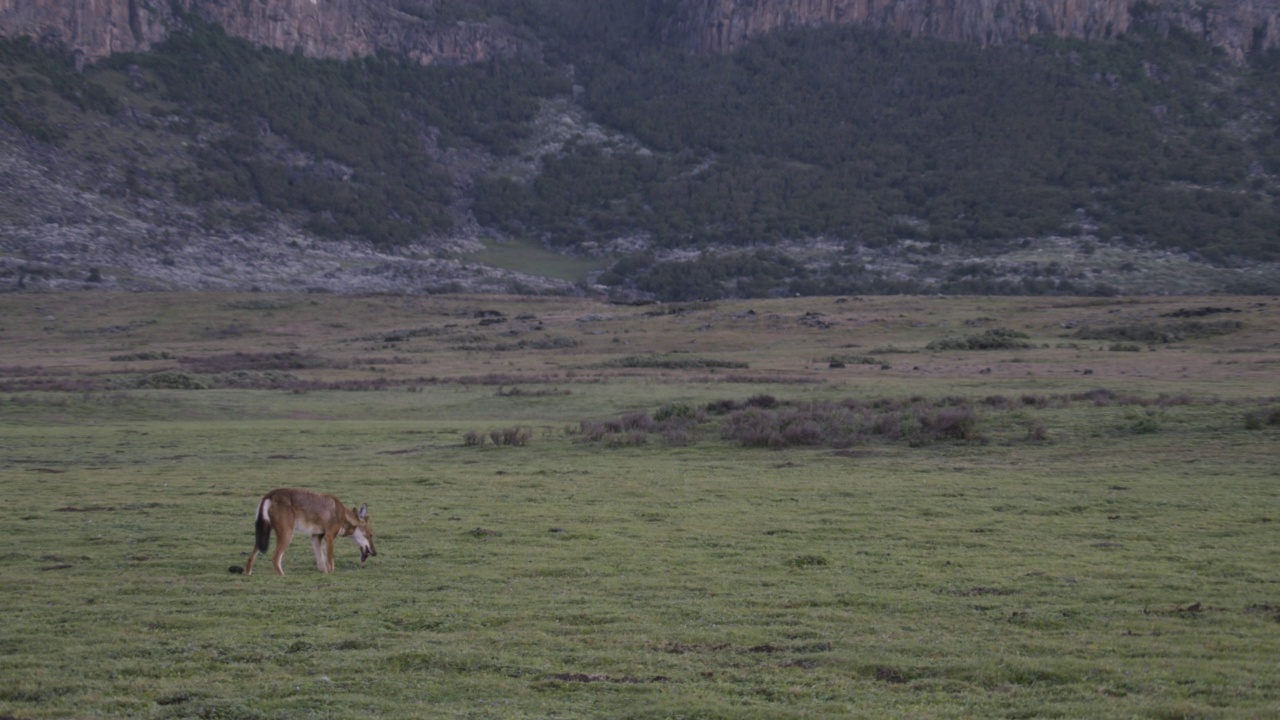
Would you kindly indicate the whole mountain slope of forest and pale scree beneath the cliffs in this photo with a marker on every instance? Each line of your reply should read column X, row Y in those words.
column 836, row 160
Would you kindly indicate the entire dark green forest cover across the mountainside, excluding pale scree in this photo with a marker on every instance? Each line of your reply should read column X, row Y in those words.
column 862, row 138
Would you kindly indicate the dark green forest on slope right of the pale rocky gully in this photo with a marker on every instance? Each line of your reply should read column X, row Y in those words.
column 843, row 133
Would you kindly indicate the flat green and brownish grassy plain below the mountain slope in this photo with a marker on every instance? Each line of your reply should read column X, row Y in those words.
column 1081, row 554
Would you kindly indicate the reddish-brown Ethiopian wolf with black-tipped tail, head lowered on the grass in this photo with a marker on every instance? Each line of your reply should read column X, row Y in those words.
column 323, row 517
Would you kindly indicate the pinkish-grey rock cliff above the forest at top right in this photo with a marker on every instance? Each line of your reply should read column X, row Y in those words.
column 720, row 26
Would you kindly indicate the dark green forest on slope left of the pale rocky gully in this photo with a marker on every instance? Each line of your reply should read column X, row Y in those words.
column 373, row 116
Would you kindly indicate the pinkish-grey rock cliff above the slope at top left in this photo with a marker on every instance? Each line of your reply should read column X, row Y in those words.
column 321, row 29
